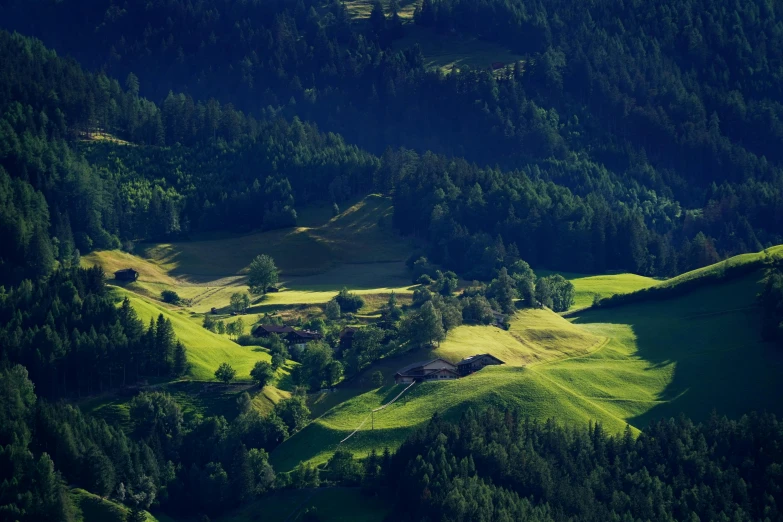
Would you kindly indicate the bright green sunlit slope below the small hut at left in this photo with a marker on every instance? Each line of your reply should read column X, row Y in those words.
column 205, row 349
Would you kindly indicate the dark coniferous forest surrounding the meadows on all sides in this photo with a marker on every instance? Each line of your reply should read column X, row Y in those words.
column 640, row 137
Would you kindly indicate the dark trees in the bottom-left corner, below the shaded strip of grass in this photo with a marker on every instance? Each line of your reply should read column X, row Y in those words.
column 204, row 466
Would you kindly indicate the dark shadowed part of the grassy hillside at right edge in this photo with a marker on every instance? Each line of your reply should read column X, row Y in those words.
column 720, row 362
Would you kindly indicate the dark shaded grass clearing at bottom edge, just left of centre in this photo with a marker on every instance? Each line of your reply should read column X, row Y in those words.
column 331, row 504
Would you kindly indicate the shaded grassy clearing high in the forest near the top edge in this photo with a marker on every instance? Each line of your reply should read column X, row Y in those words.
column 448, row 51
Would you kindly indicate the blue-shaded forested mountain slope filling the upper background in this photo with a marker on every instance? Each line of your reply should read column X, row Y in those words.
column 618, row 119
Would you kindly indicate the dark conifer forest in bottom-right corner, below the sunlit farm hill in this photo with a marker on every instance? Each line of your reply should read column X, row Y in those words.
column 499, row 465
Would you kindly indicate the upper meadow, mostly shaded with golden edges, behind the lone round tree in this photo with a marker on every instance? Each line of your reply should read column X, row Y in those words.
column 356, row 249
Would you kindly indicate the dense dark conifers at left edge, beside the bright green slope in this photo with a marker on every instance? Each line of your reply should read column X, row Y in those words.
column 73, row 339
